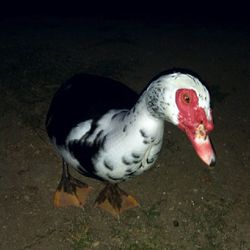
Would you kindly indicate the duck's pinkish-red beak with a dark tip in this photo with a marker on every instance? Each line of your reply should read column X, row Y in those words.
column 202, row 145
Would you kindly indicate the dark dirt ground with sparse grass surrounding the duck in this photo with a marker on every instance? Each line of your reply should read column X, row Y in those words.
column 184, row 205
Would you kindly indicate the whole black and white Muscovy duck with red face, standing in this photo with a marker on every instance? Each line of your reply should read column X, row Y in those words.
column 104, row 130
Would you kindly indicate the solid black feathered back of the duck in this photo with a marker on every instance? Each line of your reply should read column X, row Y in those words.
column 85, row 97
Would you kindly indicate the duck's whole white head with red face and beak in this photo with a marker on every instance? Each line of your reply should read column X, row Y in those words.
column 184, row 101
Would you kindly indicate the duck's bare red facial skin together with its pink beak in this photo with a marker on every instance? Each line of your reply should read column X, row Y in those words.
column 194, row 121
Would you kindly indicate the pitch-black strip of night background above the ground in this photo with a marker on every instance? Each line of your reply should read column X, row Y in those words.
column 203, row 11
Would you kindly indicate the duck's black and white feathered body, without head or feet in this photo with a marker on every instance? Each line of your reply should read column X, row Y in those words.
column 98, row 138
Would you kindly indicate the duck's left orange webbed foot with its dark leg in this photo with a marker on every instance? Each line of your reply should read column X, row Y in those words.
column 70, row 191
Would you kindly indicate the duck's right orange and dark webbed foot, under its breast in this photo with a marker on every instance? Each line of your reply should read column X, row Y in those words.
column 114, row 200
